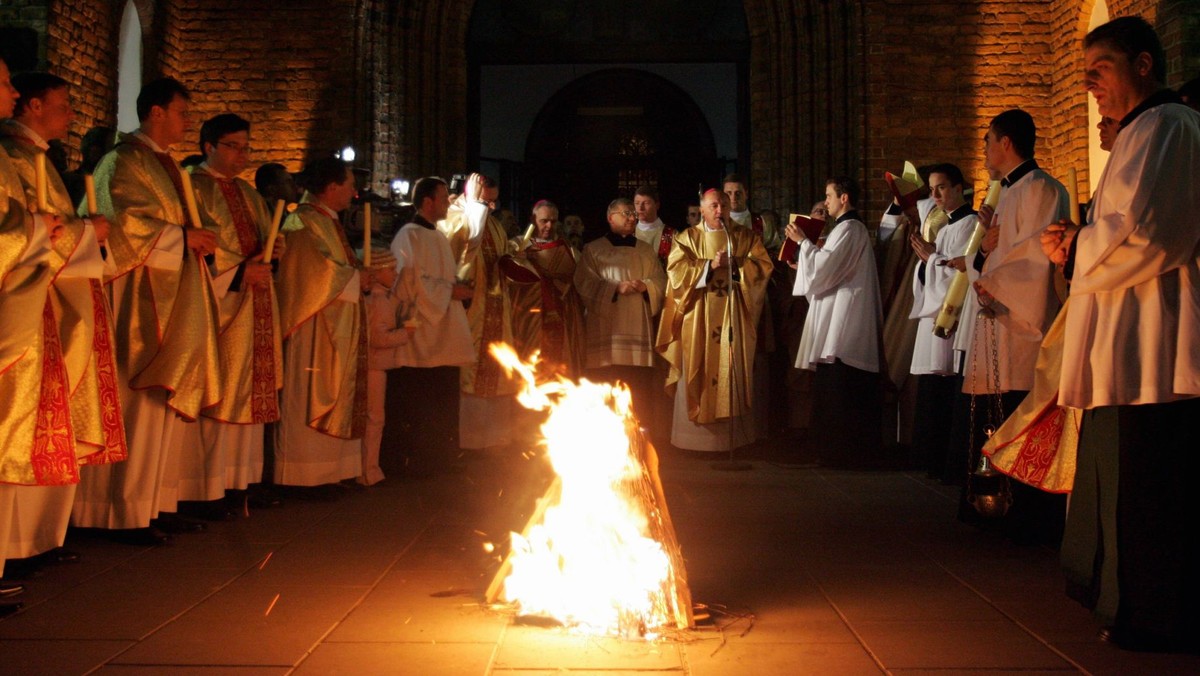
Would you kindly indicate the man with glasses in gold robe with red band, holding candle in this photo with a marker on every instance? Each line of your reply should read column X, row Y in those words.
column 231, row 457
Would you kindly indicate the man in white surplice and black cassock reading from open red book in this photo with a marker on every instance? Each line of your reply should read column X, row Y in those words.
column 842, row 333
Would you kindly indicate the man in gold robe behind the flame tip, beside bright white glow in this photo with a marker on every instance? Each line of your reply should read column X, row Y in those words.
column 478, row 242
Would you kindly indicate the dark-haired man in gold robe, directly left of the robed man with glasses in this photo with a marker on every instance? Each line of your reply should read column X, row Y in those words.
column 163, row 302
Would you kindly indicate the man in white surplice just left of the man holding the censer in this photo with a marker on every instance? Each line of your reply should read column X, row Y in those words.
column 933, row 360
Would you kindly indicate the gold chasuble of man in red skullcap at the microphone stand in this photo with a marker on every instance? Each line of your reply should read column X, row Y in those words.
column 710, row 320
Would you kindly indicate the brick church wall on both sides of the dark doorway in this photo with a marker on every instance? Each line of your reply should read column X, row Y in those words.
column 850, row 87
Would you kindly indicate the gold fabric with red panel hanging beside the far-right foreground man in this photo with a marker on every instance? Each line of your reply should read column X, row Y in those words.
column 1040, row 441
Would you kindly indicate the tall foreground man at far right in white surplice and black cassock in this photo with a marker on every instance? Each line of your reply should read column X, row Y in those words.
column 1132, row 355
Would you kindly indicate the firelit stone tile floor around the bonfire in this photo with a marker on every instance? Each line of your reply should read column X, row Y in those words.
column 842, row 573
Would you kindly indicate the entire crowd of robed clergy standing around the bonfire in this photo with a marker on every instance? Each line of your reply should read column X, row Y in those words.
column 165, row 326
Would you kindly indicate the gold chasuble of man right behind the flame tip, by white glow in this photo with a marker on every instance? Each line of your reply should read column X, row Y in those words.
column 490, row 314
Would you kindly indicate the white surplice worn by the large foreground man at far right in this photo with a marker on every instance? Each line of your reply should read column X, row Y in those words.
column 1133, row 326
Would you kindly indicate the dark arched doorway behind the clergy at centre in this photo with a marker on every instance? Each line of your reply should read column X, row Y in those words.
column 611, row 131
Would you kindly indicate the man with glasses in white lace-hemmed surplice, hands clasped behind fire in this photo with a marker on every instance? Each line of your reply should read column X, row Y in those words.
column 622, row 284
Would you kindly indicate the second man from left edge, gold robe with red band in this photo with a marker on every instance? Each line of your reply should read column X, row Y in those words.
column 81, row 315
